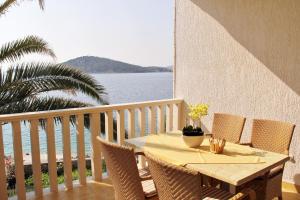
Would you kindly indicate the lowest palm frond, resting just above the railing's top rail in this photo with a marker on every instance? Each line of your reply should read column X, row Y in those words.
column 40, row 104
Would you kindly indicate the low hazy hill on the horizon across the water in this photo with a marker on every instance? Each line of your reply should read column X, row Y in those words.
column 92, row 64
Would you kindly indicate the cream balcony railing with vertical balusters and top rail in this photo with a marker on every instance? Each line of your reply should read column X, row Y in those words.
column 163, row 115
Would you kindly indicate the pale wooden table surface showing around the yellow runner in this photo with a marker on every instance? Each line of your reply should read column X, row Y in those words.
column 233, row 174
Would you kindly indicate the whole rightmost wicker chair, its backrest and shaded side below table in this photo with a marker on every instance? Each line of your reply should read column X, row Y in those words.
column 272, row 136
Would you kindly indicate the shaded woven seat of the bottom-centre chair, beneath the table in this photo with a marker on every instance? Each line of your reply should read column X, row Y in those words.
column 211, row 193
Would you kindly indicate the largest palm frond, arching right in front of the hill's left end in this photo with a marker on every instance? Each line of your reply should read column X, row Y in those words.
column 32, row 79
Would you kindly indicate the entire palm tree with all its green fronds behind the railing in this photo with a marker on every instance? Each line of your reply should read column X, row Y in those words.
column 23, row 86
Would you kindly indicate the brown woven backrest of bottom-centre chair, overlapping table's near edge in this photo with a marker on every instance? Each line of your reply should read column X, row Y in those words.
column 174, row 182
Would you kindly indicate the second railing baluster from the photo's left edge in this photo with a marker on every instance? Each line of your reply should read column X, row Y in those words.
column 18, row 156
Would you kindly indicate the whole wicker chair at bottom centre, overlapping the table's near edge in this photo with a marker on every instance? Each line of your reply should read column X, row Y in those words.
column 178, row 183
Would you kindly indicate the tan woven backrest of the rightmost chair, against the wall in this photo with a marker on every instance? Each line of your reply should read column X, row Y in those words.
column 272, row 135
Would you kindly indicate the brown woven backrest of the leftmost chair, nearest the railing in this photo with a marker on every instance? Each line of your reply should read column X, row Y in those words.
column 123, row 172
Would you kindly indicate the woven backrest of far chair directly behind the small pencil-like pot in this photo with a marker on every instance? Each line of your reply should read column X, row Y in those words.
column 227, row 126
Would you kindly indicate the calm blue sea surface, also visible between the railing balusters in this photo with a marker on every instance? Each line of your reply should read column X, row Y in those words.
column 121, row 88
